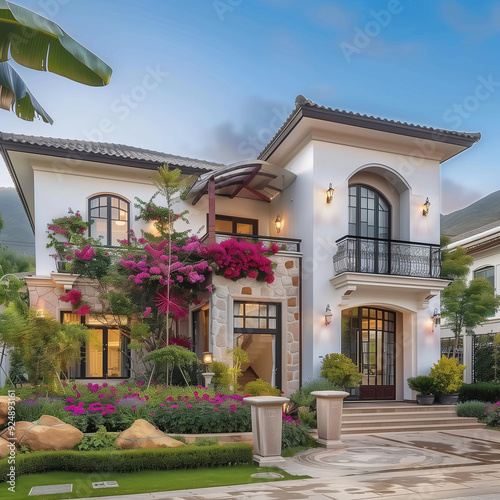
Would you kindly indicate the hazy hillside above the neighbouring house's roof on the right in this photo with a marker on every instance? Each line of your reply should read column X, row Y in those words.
column 480, row 213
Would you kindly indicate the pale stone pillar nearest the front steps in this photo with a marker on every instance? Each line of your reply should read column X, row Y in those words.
column 329, row 416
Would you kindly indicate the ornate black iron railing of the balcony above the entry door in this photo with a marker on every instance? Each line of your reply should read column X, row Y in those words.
column 378, row 256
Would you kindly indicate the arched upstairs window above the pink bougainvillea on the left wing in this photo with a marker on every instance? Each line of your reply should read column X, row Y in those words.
column 110, row 216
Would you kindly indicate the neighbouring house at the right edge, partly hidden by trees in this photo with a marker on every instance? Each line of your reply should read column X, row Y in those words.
column 483, row 244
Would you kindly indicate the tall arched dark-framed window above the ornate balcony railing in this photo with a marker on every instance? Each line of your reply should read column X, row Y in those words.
column 369, row 213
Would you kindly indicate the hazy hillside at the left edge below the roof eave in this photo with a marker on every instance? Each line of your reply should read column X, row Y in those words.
column 16, row 233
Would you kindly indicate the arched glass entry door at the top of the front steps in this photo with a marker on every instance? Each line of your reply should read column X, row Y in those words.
column 369, row 339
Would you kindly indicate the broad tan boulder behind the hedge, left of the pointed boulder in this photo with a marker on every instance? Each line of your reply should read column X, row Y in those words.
column 47, row 434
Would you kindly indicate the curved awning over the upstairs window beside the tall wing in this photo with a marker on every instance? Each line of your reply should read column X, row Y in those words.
column 254, row 179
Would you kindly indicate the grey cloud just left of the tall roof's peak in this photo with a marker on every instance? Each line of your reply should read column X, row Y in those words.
column 232, row 141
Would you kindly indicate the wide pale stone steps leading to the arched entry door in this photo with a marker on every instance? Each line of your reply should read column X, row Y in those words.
column 365, row 418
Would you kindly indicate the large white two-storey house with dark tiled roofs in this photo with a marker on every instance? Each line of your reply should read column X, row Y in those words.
column 353, row 201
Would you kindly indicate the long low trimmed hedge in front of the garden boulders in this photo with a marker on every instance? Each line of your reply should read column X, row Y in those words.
column 129, row 460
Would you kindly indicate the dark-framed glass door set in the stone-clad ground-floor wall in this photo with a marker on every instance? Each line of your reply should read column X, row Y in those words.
column 257, row 330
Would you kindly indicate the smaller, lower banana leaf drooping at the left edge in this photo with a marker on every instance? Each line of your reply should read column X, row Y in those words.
column 15, row 95
